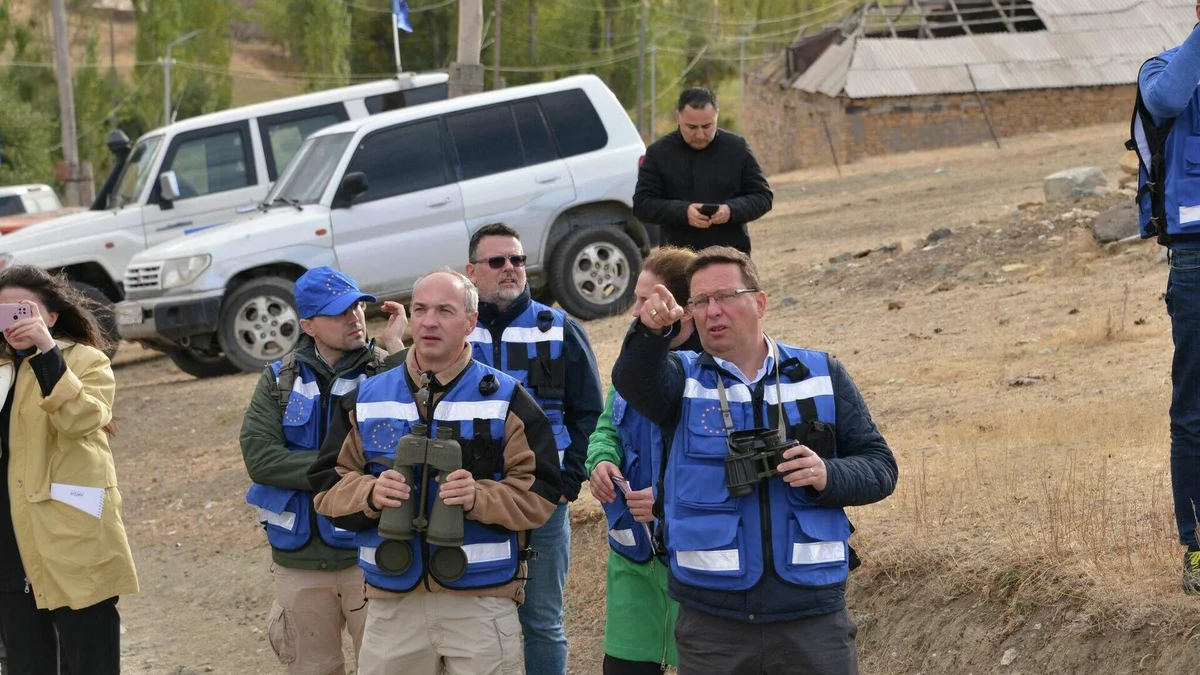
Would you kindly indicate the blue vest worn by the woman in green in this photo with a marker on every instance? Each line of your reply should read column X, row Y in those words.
column 641, row 441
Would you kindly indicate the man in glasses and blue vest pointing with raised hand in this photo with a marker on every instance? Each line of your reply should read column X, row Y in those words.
column 759, row 551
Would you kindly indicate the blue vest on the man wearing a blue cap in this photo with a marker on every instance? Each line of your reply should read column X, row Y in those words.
column 289, row 516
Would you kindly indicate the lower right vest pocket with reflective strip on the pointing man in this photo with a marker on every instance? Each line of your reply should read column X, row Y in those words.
column 817, row 553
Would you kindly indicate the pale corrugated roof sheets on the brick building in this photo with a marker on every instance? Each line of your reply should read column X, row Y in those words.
column 1088, row 44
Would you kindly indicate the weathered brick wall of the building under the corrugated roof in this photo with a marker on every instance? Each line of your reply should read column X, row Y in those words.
column 788, row 128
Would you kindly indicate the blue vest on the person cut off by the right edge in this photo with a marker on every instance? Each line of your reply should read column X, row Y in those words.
column 1181, row 182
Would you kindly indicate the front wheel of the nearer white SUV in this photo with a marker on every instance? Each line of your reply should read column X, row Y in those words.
column 260, row 324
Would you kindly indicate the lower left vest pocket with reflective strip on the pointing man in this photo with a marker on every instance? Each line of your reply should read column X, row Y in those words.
column 707, row 546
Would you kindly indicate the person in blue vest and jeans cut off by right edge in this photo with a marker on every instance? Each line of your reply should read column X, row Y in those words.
column 1169, row 208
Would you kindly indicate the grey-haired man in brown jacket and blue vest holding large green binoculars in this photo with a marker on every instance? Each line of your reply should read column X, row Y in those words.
column 425, row 618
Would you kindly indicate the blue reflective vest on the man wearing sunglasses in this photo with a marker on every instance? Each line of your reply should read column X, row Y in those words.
column 531, row 349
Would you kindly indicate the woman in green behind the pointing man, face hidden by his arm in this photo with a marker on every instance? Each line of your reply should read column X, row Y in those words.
column 640, row 618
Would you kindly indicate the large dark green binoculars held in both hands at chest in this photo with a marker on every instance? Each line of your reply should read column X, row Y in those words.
column 442, row 527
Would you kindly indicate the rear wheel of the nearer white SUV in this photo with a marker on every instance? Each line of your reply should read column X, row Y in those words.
column 593, row 272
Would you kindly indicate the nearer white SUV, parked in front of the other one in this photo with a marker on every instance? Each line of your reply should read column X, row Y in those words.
column 391, row 198
